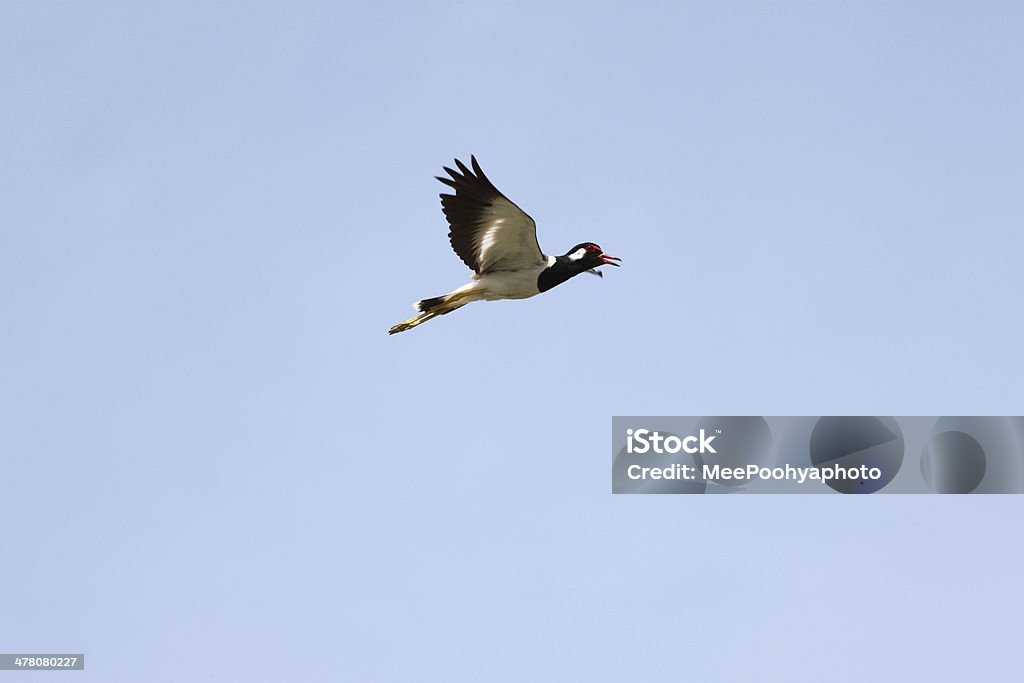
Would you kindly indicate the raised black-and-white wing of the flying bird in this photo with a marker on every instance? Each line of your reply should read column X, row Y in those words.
column 489, row 232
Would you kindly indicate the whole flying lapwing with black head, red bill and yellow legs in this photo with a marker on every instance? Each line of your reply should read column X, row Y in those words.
column 498, row 241
